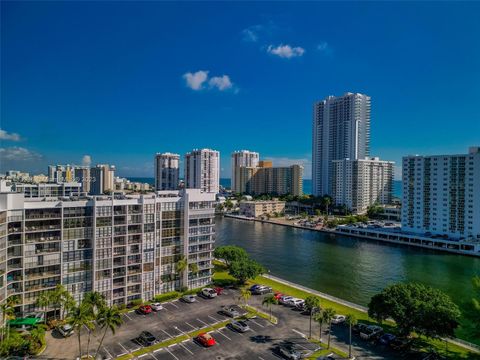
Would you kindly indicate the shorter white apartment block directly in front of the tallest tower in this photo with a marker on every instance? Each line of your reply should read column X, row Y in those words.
column 360, row 183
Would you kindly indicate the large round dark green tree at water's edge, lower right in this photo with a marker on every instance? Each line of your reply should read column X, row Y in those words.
column 416, row 307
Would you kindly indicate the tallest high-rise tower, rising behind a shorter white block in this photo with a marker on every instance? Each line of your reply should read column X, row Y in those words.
column 341, row 130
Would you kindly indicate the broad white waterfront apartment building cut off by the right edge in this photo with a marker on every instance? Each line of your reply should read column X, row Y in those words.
column 441, row 194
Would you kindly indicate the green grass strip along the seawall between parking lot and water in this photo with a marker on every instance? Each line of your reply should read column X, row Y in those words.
column 455, row 352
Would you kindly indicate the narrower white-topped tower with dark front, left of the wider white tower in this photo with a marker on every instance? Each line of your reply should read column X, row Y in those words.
column 167, row 171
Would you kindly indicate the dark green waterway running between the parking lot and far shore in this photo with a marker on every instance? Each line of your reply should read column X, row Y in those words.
column 345, row 267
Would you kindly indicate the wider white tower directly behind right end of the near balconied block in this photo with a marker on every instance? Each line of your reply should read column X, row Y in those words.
column 202, row 170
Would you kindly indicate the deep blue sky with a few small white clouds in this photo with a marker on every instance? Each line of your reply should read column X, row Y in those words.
column 120, row 81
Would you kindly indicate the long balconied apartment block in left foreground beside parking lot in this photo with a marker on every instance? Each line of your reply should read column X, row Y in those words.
column 124, row 247
